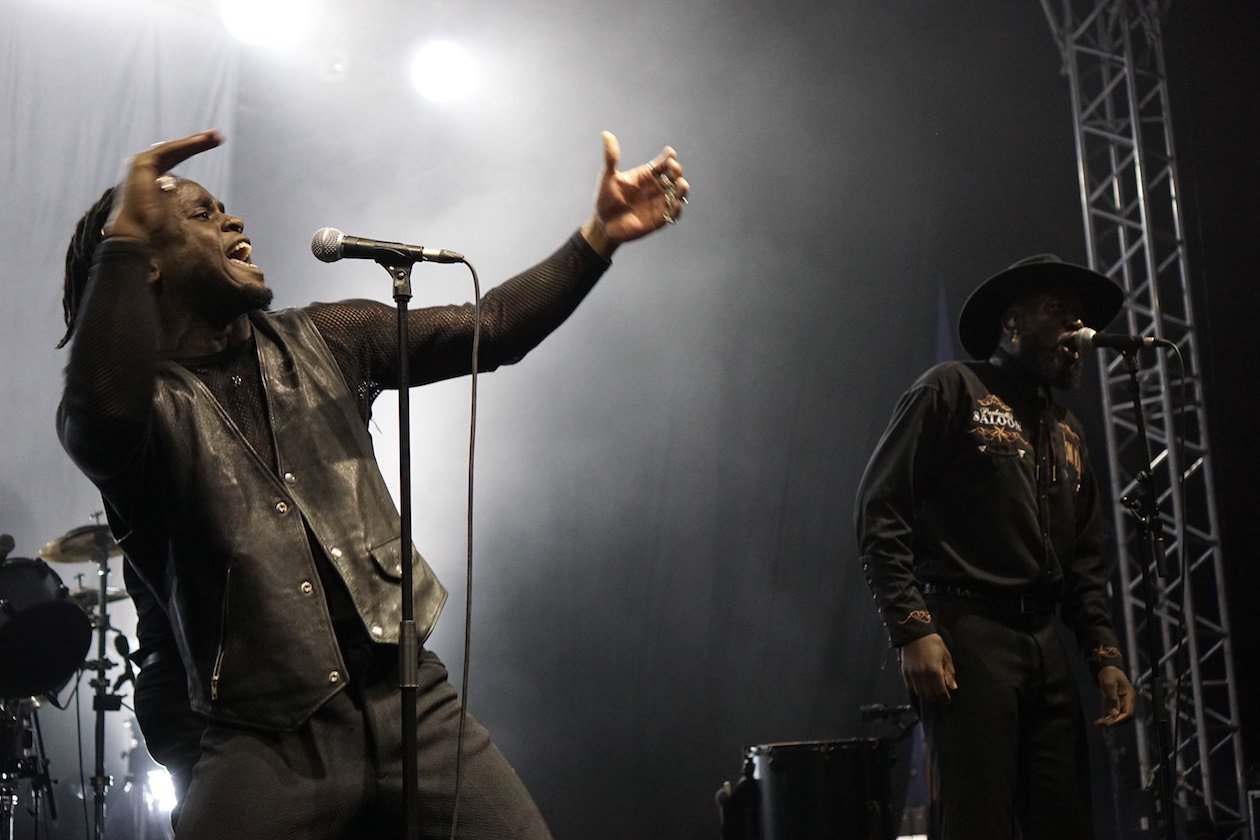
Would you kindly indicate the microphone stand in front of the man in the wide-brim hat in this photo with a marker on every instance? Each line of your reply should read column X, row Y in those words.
column 1145, row 509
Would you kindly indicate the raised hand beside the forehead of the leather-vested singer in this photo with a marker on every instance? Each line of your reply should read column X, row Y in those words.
column 139, row 210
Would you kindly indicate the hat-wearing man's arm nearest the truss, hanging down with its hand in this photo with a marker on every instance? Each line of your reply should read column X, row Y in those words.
column 1087, row 604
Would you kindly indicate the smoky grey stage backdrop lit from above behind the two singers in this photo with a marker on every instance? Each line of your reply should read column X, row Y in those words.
column 666, row 565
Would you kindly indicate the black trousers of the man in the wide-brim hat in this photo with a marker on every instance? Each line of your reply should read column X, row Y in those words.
column 1007, row 754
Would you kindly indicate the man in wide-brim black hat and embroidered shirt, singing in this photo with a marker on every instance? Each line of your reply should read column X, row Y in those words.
column 978, row 521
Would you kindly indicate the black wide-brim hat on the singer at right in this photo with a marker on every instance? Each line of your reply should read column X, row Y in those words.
column 980, row 323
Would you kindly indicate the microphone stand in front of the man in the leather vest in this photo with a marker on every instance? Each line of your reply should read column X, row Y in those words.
column 409, row 648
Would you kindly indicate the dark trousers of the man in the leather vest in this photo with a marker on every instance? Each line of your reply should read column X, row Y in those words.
column 340, row 776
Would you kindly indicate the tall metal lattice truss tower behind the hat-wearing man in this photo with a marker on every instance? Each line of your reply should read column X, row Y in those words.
column 1113, row 57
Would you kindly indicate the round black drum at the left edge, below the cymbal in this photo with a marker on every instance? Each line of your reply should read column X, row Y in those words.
column 45, row 634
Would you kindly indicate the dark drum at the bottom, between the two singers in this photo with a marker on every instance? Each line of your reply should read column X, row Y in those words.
column 811, row 790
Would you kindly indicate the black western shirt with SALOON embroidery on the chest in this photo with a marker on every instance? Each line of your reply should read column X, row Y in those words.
column 982, row 483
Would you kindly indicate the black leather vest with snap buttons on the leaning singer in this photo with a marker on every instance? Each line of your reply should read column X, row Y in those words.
column 222, row 540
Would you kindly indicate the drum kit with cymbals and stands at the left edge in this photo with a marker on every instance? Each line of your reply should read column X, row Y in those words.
column 46, row 634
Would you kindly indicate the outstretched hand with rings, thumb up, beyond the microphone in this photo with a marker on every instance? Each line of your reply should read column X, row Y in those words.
column 633, row 203
